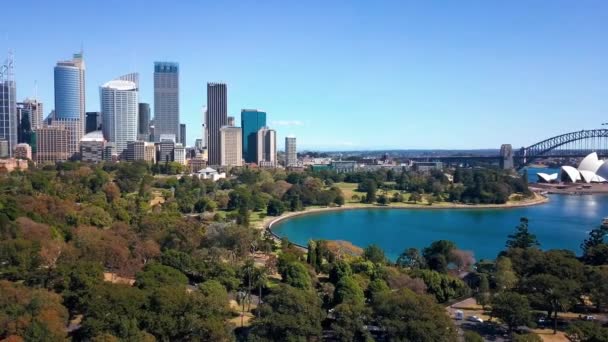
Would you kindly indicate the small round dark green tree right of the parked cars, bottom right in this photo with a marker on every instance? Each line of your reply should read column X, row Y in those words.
column 512, row 308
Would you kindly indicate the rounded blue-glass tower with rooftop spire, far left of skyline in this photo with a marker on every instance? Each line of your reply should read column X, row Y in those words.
column 70, row 99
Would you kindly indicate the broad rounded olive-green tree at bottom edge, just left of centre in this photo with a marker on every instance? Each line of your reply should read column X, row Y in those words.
column 288, row 314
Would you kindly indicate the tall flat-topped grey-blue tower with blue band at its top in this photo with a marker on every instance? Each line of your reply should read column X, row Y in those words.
column 166, row 99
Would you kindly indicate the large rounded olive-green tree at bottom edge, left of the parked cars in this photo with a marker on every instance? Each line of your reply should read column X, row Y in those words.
column 406, row 316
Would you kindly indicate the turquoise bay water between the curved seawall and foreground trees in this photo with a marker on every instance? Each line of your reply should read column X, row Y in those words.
column 563, row 222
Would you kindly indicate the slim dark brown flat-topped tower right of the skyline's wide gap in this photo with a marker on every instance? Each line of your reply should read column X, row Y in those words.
column 217, row 117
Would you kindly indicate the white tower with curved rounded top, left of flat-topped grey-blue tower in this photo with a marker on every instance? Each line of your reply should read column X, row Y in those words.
column 119, row 101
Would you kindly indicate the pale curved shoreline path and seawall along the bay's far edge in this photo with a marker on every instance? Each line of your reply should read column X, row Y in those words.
column 269, row 221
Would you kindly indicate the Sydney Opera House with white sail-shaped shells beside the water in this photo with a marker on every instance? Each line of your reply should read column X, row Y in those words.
column 590, row 170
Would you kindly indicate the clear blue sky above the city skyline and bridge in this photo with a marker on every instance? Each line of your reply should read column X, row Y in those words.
column 341, row 74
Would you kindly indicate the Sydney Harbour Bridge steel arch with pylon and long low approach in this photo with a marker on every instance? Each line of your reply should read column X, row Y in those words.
column 568, row 145
